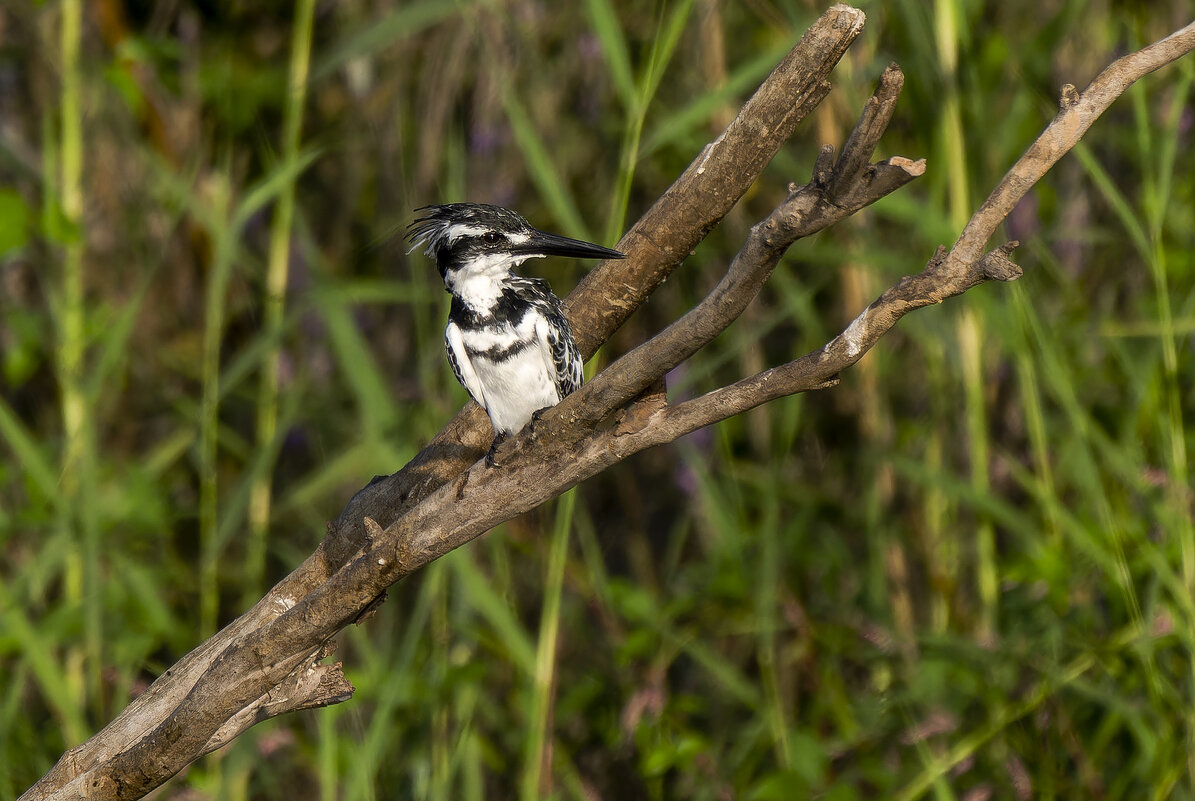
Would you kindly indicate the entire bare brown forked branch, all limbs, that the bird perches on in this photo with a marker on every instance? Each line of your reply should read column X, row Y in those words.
column 266, row 663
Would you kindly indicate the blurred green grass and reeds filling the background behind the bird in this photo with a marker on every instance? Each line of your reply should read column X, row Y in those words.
column 966, row 573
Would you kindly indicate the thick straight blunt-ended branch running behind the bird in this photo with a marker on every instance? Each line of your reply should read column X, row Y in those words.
column 707, row 191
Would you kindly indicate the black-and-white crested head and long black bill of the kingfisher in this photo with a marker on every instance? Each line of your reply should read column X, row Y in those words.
column 475, row 241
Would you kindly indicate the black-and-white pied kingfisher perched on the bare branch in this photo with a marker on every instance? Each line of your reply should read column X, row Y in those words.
column 507, row 338
